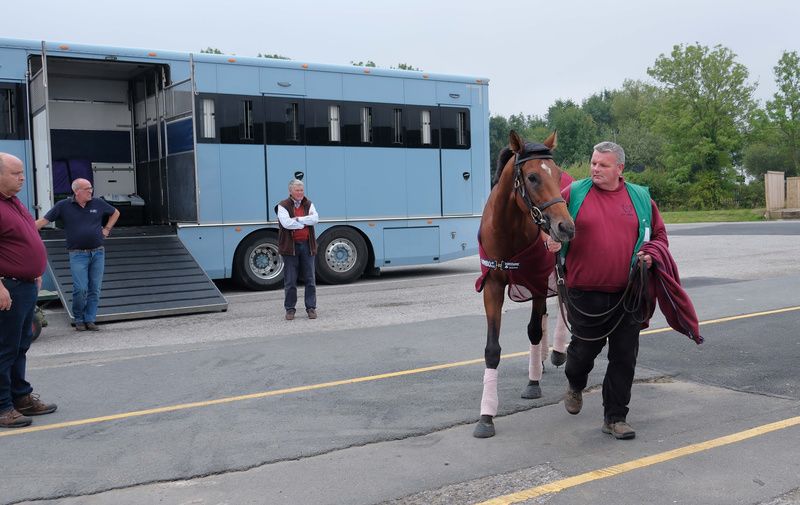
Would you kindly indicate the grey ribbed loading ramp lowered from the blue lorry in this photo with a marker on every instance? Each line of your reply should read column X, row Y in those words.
column 148, row 273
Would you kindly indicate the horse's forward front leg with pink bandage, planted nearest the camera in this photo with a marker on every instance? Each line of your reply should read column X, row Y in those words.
column 493, row 298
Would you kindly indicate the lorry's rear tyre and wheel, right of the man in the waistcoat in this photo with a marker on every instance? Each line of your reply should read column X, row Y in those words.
column 341, row 256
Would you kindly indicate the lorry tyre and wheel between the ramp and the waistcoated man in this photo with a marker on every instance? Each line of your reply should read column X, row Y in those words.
column 257, row 264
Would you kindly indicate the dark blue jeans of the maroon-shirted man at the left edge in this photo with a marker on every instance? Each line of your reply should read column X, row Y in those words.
column 15, row 340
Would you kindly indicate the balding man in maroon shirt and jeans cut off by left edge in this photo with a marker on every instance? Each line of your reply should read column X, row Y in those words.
column 22, row 263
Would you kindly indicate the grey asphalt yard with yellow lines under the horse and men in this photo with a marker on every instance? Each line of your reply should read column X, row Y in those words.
column 375, row 401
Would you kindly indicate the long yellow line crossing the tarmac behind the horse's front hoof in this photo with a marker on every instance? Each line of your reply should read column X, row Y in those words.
column 323, row 385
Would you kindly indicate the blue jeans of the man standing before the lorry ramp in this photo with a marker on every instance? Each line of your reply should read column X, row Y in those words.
column 87, row 277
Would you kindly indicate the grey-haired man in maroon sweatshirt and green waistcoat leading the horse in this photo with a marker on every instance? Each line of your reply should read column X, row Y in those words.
column 608, row 232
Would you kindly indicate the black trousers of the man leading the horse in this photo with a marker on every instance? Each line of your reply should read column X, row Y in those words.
column 623, row 349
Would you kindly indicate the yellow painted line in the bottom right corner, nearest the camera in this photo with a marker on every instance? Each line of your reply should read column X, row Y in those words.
column 611, row 471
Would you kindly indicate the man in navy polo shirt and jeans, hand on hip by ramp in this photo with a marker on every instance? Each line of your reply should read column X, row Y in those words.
column 83, row 226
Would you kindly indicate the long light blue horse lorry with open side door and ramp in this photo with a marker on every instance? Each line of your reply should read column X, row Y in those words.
column 196, row 149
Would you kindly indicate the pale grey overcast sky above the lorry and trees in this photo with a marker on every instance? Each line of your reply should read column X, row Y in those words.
column 532, row 52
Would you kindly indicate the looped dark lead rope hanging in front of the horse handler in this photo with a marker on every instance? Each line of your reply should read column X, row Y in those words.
column 631, row 300
